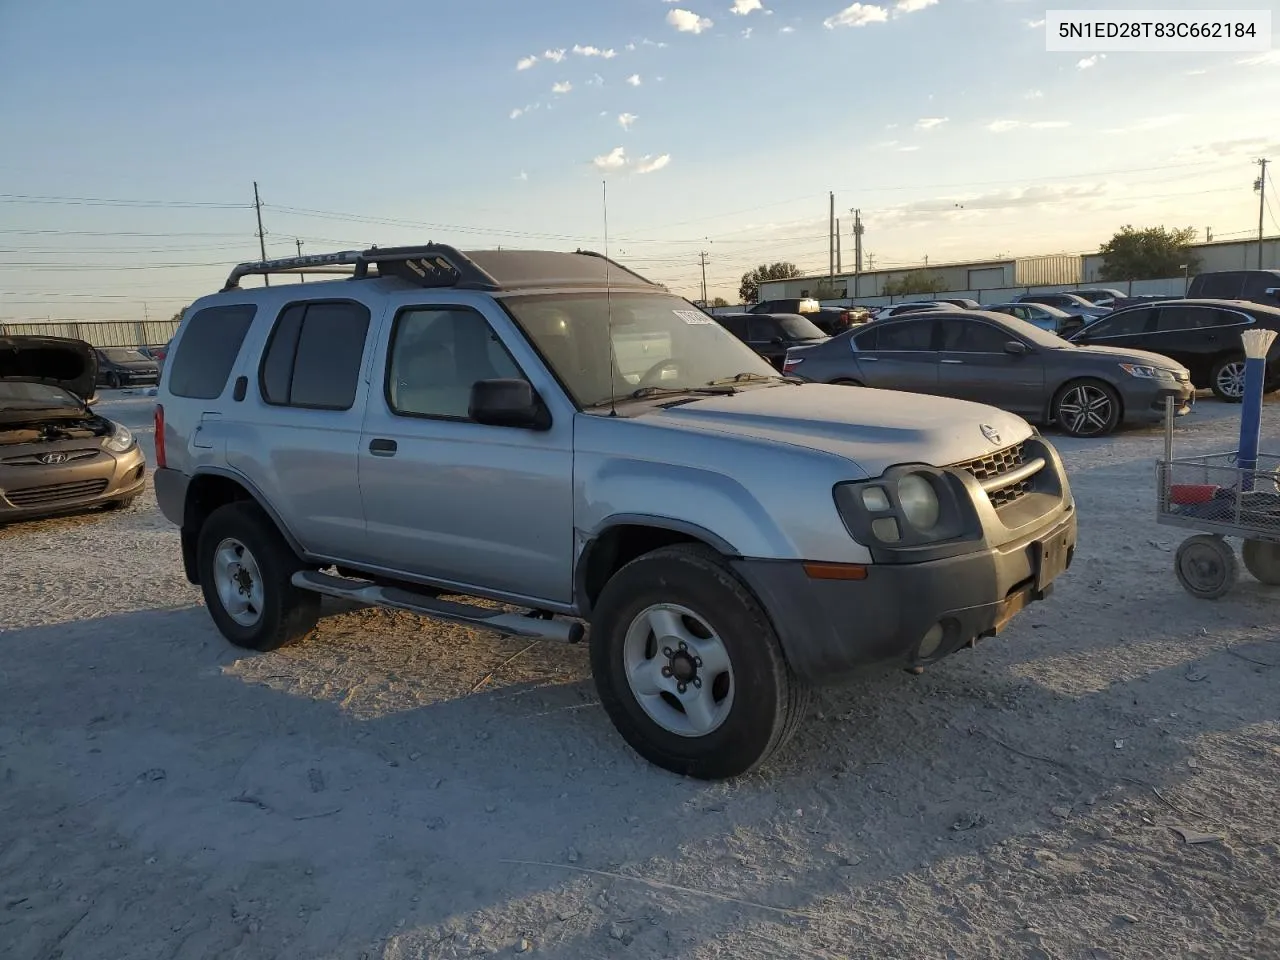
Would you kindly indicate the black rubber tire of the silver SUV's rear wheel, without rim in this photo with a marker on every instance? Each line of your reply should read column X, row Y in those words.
column 285, row 614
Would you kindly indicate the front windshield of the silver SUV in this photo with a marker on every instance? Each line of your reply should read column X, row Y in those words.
column 659, row 340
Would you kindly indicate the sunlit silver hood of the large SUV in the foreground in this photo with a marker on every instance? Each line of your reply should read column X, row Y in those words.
column 875, row 429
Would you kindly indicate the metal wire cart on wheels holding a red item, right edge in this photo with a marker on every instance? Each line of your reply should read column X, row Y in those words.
column 1219, row 499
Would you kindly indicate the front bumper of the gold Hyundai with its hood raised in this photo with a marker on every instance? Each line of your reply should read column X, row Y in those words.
column 40, row 491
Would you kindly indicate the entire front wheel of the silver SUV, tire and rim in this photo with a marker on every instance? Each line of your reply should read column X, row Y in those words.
column 689, row 668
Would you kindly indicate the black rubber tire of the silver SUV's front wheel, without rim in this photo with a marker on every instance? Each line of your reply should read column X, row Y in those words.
column 769, row 701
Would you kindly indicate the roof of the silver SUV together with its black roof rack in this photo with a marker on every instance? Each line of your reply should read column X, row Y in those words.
column 442, row 266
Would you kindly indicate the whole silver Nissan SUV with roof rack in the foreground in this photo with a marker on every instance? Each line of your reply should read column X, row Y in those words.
column 557, row 435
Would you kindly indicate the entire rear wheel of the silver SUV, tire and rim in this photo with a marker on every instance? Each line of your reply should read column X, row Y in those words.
column 245, row 574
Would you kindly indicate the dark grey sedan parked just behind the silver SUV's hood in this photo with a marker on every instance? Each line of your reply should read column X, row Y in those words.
column 1004, row 362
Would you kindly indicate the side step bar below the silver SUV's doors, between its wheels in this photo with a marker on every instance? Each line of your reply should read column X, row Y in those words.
column 449, row 611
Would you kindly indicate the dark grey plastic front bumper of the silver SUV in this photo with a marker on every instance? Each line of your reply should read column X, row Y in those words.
column 830, row 629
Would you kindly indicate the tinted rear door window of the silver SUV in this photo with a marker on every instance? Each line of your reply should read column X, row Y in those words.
column 314, row 356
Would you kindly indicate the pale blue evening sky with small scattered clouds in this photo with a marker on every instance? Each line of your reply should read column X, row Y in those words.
column 947, row 122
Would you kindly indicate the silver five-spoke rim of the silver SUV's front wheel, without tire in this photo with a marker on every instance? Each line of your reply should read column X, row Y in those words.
column 679, row 670
